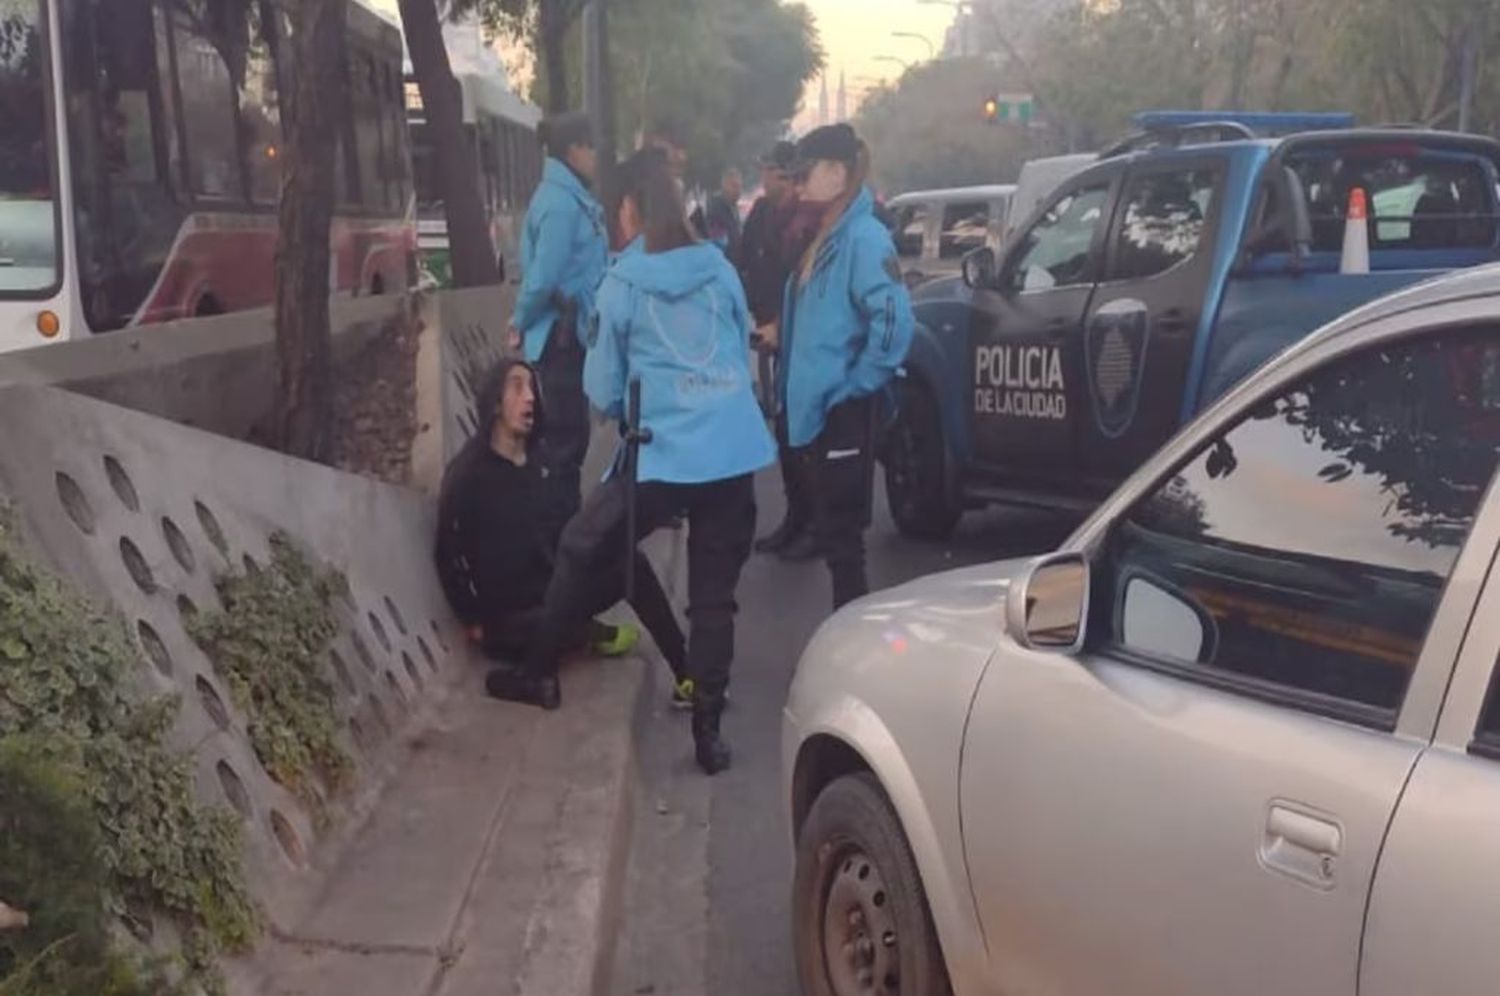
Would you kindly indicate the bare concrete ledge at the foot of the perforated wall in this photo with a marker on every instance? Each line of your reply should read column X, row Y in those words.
column 494, row 860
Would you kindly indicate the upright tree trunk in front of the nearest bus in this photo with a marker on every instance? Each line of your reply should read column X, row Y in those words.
column 304, row 335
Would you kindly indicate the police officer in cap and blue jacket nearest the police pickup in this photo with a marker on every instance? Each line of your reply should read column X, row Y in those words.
column 845, row 332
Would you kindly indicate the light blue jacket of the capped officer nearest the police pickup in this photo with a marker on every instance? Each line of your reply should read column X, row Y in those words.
column 848, row 329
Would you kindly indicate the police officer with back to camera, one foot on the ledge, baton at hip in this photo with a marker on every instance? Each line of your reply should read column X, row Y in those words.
column 673, row 314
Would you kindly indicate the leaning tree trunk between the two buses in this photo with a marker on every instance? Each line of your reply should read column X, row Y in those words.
column 470, row 245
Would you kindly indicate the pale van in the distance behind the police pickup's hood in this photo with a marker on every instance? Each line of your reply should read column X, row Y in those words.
column 935, row 230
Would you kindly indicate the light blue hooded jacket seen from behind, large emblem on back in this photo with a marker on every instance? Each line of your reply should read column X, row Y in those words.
column 679, row 320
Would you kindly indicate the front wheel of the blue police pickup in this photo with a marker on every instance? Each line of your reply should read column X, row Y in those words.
column 916, row 473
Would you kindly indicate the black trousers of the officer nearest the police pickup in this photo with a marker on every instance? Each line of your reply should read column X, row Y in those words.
column 841, row 482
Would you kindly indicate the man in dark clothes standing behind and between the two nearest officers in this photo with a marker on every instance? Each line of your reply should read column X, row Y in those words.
column 776, row 235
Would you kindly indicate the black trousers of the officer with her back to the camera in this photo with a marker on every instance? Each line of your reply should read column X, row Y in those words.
column 721, row 523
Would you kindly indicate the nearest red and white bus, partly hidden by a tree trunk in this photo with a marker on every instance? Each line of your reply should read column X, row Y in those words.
column 140, row 163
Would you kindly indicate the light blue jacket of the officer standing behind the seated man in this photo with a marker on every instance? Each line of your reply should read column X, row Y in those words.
column 563, row 253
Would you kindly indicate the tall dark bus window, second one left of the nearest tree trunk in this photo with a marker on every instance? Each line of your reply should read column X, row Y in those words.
column 214, row 152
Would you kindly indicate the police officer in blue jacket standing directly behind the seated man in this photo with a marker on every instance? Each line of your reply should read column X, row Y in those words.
column 563, row 254
